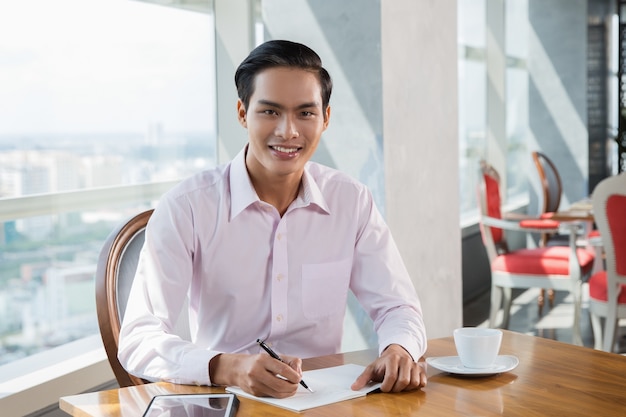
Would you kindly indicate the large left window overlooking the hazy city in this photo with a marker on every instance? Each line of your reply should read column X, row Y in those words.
column 94, row 95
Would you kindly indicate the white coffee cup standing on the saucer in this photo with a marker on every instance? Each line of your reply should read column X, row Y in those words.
column 477, row 347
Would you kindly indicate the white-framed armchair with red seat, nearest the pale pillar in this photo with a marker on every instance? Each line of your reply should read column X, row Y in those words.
column 561, row 268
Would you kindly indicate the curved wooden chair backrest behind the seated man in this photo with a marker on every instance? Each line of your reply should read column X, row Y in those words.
column 114, row 275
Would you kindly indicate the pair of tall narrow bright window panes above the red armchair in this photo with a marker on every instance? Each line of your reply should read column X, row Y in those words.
column 473, row 100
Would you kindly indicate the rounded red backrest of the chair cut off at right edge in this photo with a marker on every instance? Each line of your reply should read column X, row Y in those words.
column 609, row 211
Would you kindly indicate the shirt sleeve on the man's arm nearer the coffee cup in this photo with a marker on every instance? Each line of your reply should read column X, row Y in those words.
column 381, row 283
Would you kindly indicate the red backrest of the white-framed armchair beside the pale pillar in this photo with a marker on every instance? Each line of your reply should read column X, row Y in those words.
column 490, row 205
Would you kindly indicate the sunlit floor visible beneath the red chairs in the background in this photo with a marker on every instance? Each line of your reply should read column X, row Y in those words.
column 554, row 323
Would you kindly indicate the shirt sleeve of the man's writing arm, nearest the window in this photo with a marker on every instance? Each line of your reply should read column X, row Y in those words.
column 148, row 345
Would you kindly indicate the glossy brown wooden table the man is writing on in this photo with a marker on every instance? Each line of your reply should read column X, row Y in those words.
column 552, row 379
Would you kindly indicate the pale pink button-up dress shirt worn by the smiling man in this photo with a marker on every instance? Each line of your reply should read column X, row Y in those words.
column 248, row 273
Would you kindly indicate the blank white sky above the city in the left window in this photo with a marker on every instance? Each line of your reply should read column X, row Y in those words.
column 70, row 66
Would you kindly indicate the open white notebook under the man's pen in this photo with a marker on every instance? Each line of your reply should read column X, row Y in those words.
column 330, row 385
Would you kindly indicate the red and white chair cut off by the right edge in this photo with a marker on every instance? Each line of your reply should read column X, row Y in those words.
column 607, row 288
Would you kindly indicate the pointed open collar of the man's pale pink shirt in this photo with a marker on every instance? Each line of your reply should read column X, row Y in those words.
column 242, row 191
